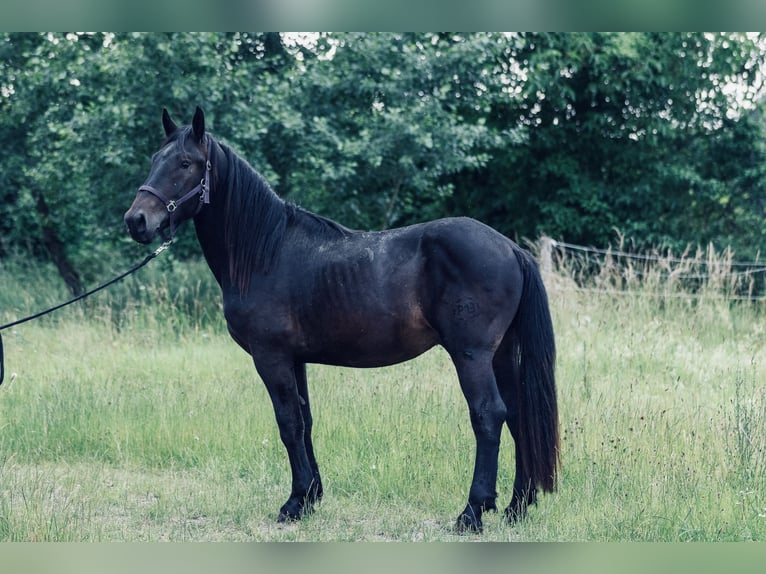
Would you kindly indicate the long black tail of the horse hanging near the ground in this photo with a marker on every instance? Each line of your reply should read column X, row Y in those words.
column 533, row 349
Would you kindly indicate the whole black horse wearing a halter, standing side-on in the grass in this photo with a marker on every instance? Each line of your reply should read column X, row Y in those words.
column 299, row 288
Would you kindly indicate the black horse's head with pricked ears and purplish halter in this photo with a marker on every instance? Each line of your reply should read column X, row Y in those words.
column 178, row 183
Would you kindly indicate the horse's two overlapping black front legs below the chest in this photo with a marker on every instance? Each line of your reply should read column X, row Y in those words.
column 279, row 376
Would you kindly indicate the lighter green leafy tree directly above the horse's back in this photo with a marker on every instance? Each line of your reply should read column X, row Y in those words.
column 377, row 128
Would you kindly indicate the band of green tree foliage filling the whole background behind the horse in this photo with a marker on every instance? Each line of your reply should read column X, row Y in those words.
column 570, row 134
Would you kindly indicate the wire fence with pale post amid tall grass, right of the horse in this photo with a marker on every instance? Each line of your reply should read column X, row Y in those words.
column 702, row 273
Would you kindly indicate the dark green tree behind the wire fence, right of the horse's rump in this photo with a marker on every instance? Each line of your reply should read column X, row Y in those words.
column 619, row 129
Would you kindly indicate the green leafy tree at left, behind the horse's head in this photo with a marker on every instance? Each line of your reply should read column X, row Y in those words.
column 79, row 116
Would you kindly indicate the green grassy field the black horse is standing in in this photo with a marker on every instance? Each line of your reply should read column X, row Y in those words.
column 134, row 417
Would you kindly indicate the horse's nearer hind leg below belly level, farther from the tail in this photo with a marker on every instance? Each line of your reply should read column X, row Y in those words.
column 488, row 413
